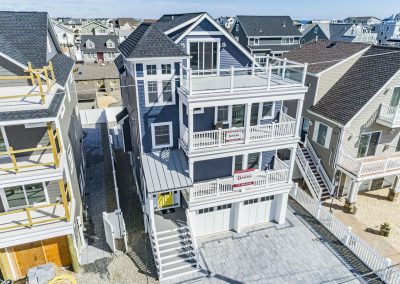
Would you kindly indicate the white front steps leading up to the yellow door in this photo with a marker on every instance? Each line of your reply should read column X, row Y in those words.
column 177, row 252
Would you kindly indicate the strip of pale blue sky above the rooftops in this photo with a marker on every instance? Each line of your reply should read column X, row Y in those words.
column 297, row 9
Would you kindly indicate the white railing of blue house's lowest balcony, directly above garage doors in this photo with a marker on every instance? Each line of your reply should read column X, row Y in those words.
column 262, row 179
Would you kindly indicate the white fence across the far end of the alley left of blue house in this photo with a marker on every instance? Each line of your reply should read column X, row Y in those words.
column 99, row 115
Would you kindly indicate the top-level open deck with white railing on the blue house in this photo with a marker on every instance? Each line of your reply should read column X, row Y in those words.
column 277, row 74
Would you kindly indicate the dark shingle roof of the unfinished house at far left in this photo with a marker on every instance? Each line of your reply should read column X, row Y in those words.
column 23, row 37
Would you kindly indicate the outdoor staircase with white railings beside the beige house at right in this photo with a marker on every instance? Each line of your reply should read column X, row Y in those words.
column 313, row 172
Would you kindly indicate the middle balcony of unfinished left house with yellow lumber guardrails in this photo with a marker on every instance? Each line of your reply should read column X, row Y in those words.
column 33, row 158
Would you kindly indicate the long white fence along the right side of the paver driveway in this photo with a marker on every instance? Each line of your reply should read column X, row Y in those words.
column 355, row 244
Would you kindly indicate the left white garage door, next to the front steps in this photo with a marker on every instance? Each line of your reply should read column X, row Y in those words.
column 213, row 220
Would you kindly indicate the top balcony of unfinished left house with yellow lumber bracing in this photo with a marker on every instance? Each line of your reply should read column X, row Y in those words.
column 34, row 90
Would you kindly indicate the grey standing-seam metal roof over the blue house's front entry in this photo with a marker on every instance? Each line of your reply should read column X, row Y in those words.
column 166, row 170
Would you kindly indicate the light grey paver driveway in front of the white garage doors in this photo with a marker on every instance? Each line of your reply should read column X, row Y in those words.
column 271, row 253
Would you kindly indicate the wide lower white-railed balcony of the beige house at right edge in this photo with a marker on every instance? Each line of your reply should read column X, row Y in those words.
column 371, row 167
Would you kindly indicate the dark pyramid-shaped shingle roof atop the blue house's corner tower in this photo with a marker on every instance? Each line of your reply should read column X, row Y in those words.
column 149, row 41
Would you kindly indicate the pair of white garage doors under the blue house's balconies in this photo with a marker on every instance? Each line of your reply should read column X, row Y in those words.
column 221, row 218
